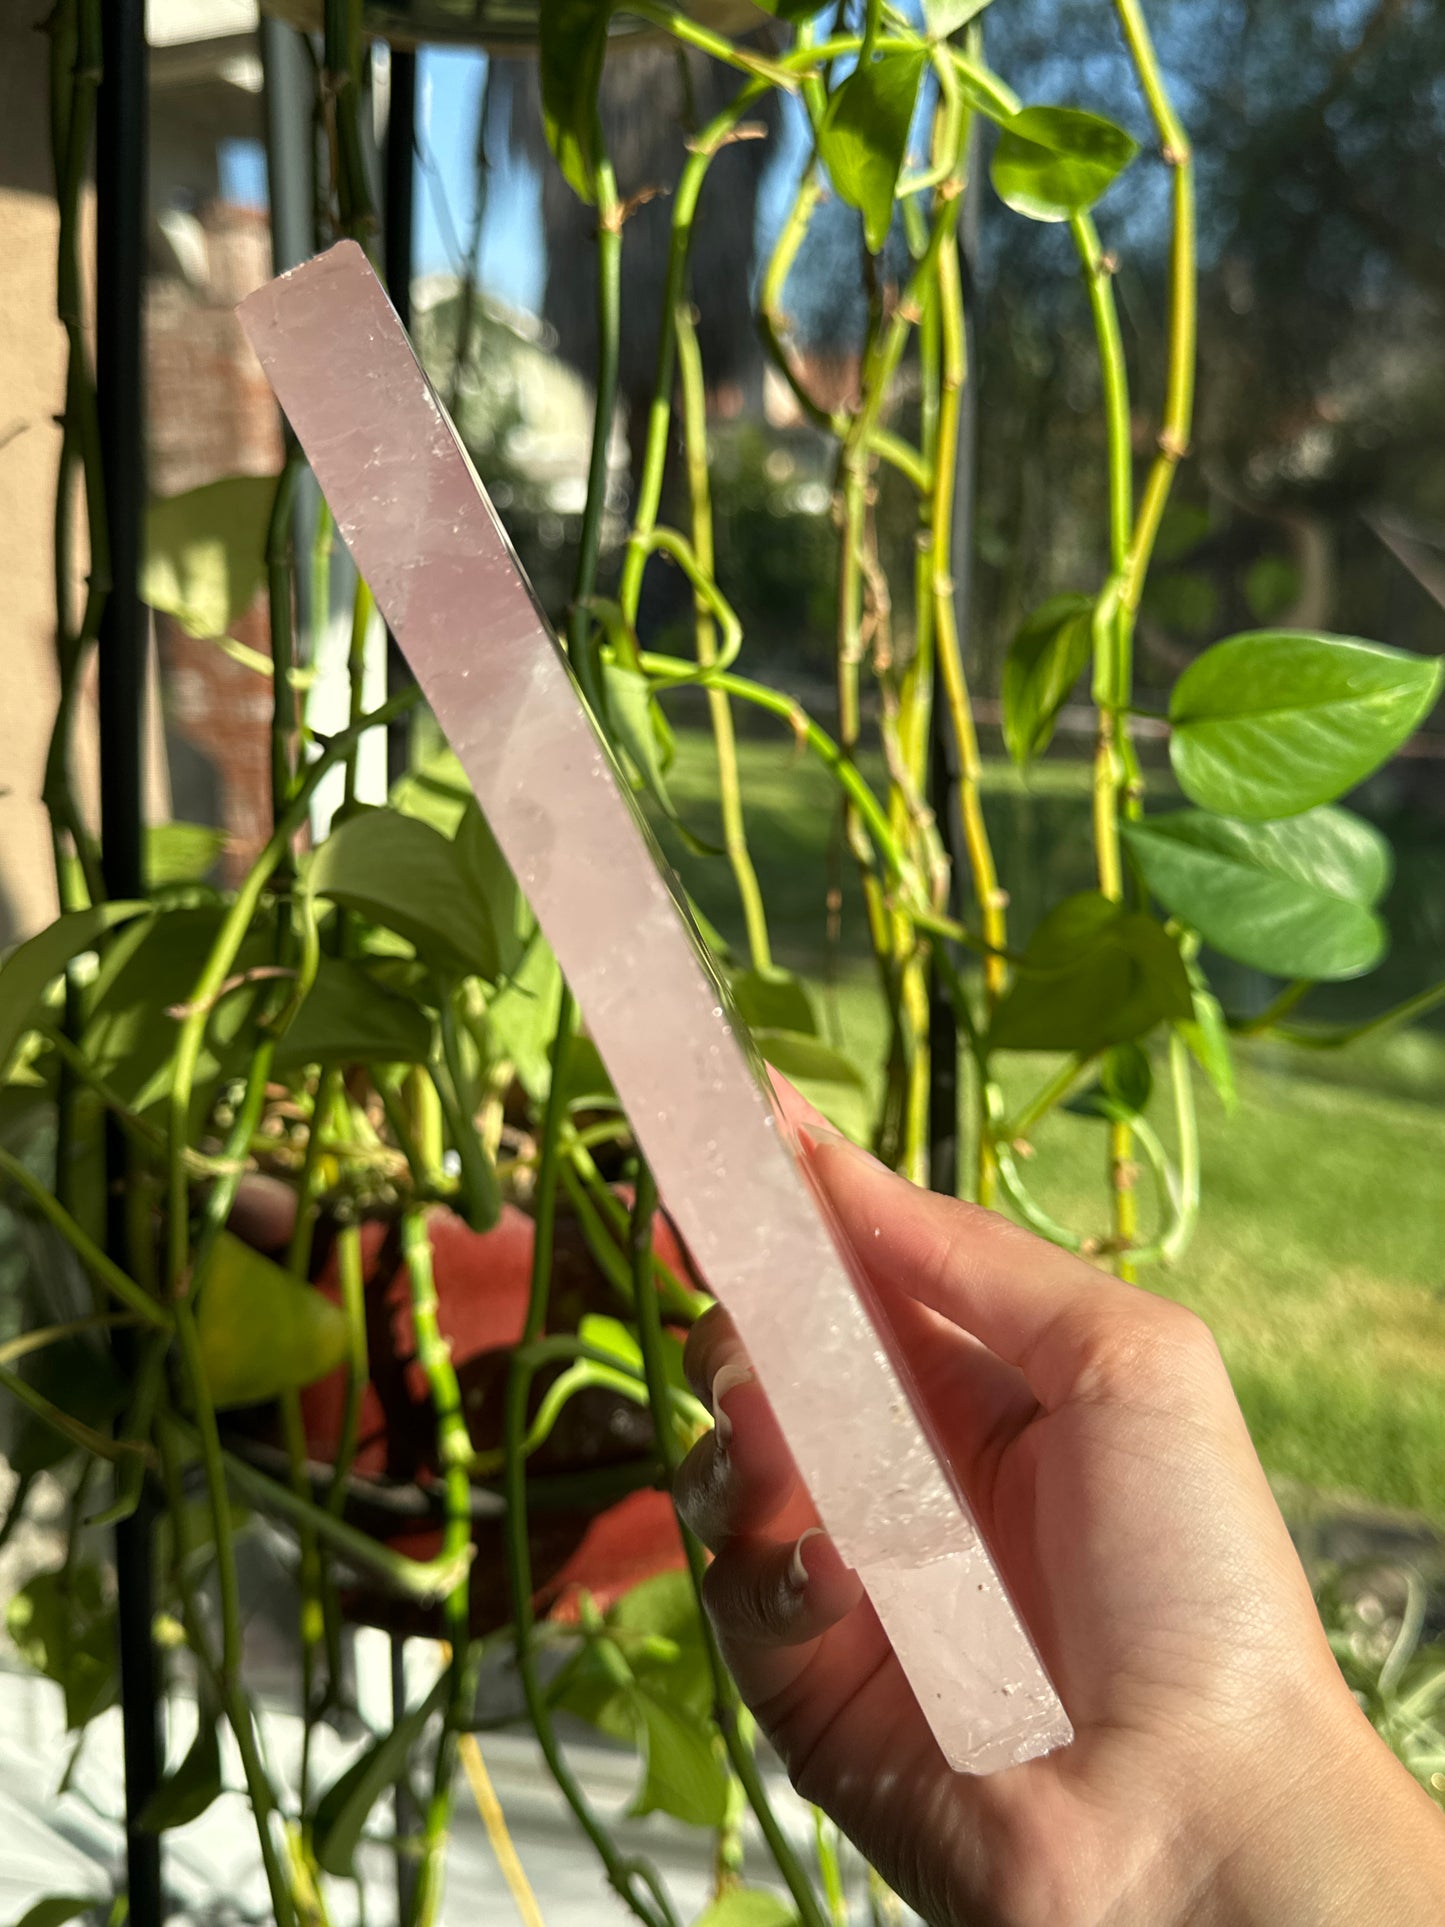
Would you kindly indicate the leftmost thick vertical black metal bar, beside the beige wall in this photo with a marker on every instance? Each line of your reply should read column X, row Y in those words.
column 122, row 205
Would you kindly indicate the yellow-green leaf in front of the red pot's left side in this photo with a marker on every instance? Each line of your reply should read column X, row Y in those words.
column 263, row 1333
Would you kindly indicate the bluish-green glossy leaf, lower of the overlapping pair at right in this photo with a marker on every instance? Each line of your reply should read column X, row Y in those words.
column 1294, row 899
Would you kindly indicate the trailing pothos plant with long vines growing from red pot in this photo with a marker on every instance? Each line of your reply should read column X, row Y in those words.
column 323, row 1072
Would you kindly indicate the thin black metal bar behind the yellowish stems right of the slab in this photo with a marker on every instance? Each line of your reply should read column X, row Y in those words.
column 943, row 758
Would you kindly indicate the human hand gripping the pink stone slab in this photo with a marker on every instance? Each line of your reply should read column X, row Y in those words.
column 1221, row 1768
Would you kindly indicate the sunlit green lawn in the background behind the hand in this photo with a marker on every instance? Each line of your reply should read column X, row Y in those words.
column 1321, row 1255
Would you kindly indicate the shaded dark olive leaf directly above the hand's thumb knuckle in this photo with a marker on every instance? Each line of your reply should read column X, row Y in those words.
column 1093, row 976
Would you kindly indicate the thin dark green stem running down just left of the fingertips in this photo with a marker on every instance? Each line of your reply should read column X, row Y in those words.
column 725, row 1695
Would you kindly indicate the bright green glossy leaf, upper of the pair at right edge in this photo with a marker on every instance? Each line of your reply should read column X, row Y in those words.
column 1276, row 722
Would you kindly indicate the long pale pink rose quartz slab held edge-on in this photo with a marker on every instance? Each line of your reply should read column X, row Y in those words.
column 429, row 542
